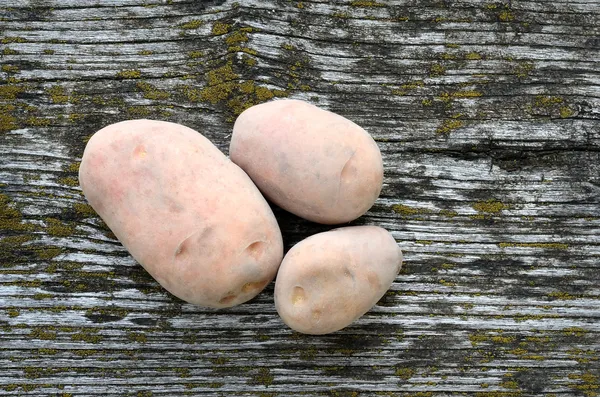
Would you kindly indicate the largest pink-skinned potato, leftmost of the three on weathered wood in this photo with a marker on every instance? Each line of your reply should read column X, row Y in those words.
column 188, row 215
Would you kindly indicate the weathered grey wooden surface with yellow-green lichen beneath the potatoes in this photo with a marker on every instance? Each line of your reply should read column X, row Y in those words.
column 488, row 118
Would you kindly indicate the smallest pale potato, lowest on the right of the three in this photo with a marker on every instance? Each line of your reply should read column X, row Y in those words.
column 330, row 279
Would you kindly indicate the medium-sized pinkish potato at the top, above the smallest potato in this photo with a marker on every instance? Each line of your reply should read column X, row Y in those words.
column 311, row 162
